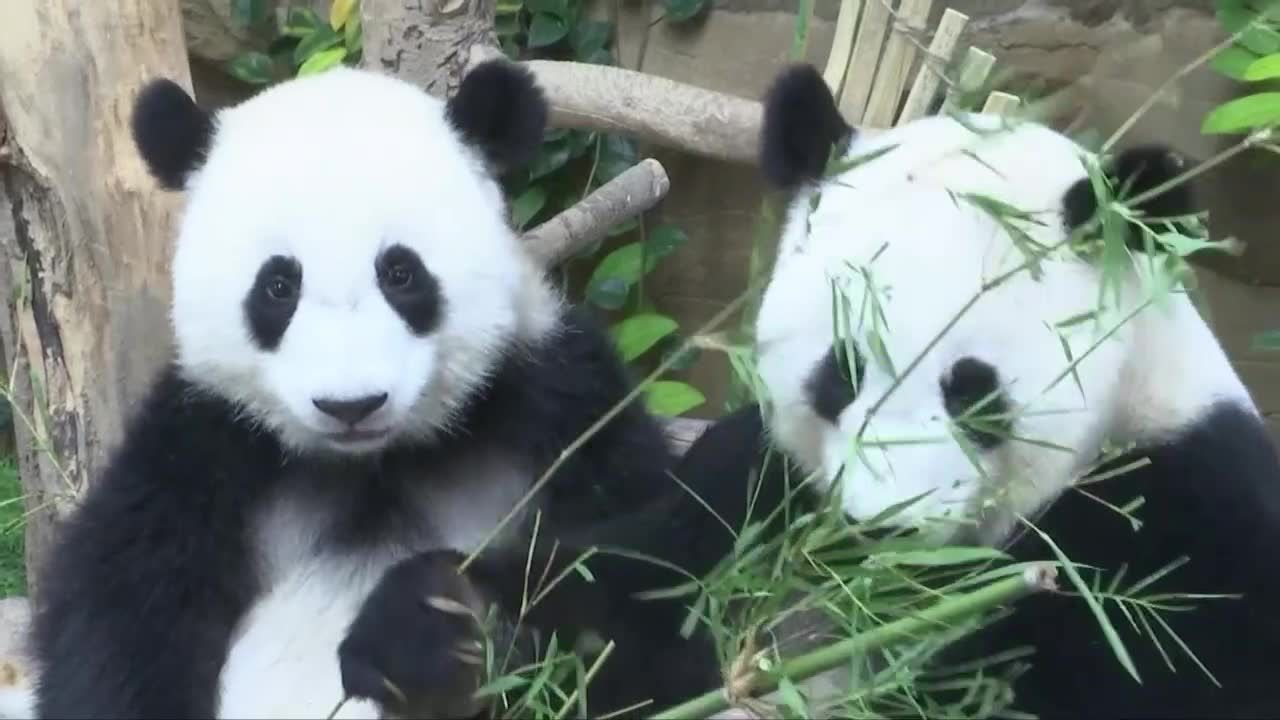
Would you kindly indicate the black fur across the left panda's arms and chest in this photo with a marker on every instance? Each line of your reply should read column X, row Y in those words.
column 153, row 572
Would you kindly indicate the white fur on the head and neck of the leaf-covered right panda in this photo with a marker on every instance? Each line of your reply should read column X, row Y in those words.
column 932, row 254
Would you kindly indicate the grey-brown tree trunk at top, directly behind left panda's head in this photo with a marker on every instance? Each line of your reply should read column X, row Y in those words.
column 427, row 43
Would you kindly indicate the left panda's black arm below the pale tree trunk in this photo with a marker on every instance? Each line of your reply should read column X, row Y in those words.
column 149, row 576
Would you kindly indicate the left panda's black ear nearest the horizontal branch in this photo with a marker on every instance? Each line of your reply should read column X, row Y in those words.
column 501, row 111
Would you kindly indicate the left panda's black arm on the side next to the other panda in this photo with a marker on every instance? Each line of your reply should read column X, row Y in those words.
column 618, row 491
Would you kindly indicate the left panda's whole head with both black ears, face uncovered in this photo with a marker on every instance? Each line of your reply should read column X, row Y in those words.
column 344, row 270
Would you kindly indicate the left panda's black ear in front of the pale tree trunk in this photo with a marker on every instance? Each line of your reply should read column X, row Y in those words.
column 171, row 131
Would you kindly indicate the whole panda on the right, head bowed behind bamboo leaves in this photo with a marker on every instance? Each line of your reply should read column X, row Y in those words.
column 953, row 368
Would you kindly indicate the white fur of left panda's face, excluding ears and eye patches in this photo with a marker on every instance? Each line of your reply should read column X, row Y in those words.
column 330, row 170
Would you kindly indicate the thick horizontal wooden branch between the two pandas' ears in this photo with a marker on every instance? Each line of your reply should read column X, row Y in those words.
column 650, row 108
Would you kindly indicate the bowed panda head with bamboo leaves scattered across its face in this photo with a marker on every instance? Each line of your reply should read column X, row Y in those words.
column 981, row 390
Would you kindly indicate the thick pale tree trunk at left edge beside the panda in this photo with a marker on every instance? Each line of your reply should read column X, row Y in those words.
column 88, row 243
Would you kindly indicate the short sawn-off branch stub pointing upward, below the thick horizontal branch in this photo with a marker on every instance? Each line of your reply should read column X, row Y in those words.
column 634, row 192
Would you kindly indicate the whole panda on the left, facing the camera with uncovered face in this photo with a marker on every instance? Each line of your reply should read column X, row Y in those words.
column 371, row 375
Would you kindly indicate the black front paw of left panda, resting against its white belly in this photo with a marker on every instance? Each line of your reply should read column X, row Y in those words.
column 417, row 645
